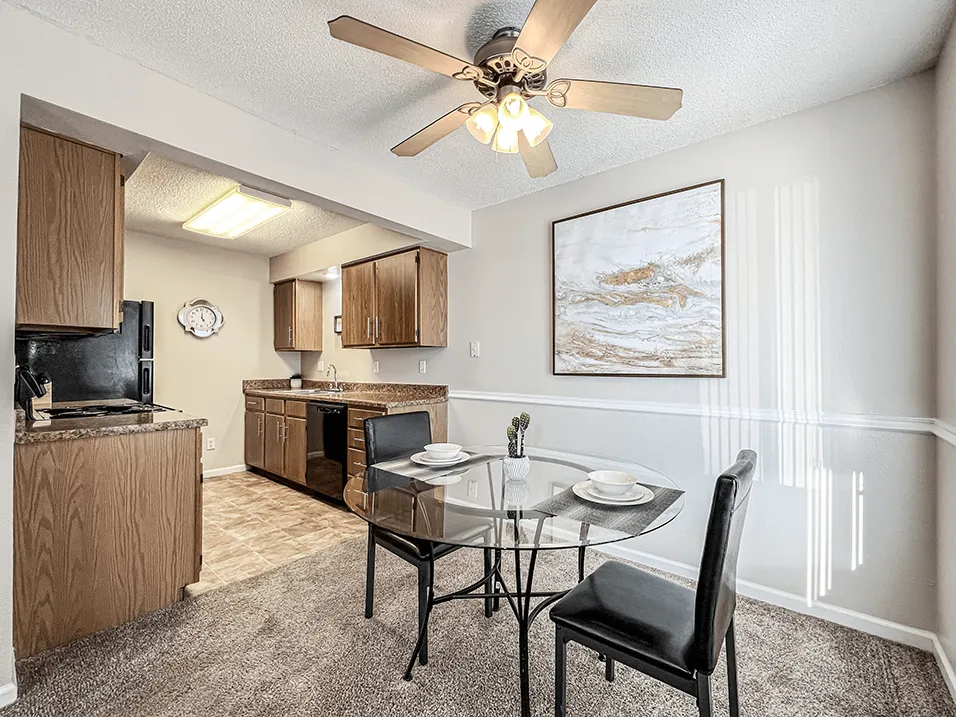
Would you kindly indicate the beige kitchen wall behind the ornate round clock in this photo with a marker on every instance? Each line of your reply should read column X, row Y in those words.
column 203, row 376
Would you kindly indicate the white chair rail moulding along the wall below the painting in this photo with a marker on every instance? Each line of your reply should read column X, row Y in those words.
column 903, row 424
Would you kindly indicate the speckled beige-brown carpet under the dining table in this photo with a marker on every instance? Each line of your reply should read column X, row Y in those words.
column 293, row 642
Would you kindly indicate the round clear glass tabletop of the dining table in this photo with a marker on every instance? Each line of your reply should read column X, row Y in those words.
column 481, row 504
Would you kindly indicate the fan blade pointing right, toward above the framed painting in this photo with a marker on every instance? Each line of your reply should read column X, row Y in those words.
column 615, row 97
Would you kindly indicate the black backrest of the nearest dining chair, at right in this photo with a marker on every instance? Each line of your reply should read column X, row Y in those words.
column 717, row 582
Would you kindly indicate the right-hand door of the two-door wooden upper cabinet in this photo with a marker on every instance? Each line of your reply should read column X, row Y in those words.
column 396, row 299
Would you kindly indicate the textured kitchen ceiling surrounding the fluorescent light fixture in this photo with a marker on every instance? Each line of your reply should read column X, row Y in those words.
column 161, row 194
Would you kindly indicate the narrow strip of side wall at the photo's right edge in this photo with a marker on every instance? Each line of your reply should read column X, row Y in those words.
column 946, row 346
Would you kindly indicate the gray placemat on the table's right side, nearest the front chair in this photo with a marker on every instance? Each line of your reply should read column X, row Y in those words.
column 632, row 519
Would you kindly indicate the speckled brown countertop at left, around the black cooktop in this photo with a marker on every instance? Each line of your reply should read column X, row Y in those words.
column 66, row 429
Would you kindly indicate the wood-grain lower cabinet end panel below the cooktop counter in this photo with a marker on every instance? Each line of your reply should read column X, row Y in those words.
column 104, row 530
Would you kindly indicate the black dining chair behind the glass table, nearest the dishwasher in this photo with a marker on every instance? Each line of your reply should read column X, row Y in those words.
column 399, row 436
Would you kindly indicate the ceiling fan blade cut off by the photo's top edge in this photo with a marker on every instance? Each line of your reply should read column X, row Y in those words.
column 549, row 25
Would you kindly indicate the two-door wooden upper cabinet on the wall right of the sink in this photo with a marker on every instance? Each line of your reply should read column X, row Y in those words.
column 396, row 300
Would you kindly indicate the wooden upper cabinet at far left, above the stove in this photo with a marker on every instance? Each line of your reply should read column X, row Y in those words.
column 69, row 235
